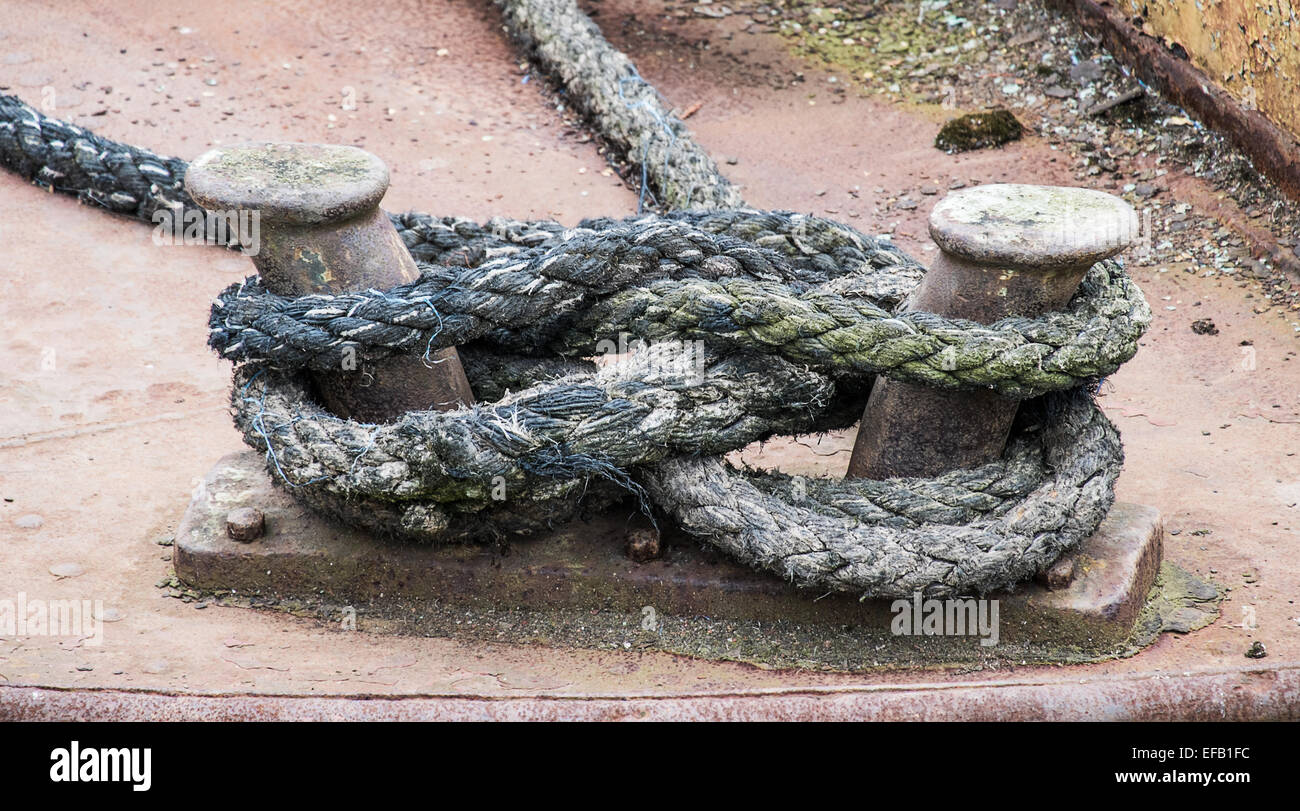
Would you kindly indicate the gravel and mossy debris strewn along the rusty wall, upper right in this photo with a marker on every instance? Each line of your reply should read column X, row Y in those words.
column 963, row 57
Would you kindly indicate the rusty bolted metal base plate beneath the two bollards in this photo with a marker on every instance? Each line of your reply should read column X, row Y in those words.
column 570, row 586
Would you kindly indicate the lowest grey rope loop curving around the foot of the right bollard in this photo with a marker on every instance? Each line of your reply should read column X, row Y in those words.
column 835, row 536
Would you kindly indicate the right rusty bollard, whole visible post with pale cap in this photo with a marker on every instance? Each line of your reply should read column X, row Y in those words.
column 1007, row 250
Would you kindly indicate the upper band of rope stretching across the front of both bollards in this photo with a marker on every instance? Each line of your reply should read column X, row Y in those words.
column 668, row 280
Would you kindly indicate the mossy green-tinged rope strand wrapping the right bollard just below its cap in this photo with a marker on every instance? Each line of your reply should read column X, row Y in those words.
column 851, row 335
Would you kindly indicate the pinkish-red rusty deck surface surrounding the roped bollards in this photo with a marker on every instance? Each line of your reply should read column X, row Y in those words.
column 112, row 409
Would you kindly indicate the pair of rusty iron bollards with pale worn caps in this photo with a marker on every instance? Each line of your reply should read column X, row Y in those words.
column 1006, row 250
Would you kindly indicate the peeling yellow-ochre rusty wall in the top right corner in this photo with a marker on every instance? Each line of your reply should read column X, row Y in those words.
column 1250, row 47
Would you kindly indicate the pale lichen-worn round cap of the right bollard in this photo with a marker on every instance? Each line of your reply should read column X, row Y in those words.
column 1033, row 227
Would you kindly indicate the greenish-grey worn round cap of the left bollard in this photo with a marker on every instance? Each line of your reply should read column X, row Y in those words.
column 289, row 183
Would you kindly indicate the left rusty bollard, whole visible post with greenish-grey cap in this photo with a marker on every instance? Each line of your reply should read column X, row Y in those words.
column 322, row 231
